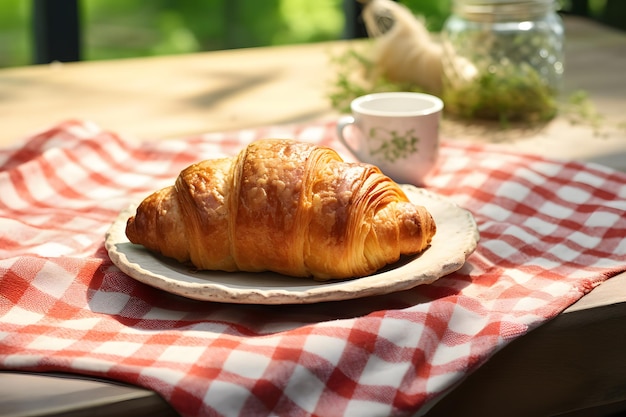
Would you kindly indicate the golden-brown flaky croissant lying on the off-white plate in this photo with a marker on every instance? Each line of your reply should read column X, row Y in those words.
column 283, row 206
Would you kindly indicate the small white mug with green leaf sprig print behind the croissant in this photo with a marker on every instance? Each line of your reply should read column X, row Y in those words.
column 396, row 131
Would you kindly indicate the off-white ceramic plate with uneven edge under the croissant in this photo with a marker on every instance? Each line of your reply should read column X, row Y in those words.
column 456, row 238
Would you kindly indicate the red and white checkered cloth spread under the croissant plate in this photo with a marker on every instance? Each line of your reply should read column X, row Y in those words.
column 550, row 232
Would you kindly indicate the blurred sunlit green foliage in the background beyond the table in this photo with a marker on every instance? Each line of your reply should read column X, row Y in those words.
column 128, row 28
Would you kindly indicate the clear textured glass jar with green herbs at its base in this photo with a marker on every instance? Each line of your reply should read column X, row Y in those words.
column 503, row 59
